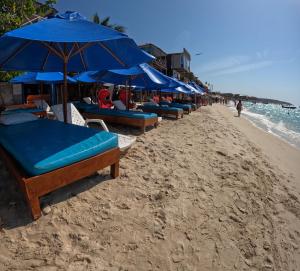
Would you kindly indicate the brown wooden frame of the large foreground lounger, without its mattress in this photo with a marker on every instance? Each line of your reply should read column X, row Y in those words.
column 37, row 186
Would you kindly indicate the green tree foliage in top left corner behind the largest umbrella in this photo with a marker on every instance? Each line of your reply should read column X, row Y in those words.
column 15, row 13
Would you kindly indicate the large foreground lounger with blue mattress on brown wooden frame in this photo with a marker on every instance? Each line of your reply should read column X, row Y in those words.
column 45, row 155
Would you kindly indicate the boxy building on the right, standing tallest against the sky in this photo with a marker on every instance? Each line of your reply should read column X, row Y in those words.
column 179, row 65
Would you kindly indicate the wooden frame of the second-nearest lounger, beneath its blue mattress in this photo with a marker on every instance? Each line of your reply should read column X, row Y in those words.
column 140, row 123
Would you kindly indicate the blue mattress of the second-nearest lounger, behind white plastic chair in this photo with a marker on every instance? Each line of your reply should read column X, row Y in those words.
column 94, row 109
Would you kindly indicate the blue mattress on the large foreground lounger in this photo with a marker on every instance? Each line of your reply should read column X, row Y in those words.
column 44, row 145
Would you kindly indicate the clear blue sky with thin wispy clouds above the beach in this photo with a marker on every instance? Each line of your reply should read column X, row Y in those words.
column 249, row 46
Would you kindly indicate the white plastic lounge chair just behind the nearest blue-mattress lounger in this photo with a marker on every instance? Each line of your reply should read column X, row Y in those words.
column 74, row 117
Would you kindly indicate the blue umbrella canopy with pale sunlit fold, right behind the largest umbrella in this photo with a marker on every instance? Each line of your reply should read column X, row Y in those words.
column 142, row 75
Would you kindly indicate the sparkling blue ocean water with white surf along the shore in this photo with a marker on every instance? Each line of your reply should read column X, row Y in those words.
column 281, row 122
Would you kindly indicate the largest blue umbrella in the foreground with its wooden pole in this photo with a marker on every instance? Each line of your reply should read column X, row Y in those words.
column 68, row 42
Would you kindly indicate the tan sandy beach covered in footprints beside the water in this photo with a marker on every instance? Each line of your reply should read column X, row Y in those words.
column 206, row 192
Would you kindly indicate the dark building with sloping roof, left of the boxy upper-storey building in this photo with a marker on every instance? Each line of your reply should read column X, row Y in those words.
column 160, row 63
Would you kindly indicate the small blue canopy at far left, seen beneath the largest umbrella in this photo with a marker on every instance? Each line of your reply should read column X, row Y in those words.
column 38, row 77
